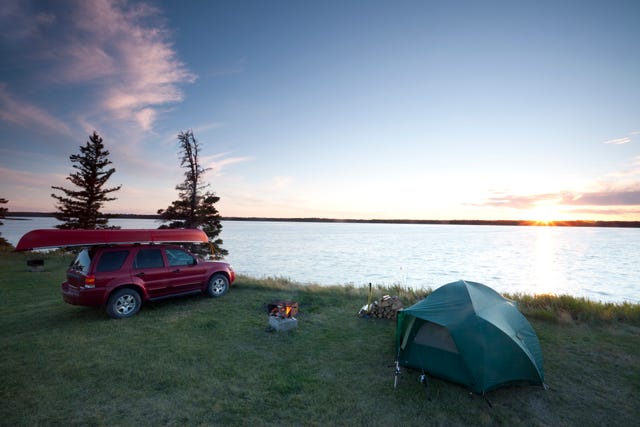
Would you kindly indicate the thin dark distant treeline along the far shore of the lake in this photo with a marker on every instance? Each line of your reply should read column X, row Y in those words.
column 580, row 223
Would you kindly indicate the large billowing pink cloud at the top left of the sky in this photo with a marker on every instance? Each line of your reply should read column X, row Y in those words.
column 120, row 50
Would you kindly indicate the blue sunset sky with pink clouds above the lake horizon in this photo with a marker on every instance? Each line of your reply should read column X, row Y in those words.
column 491, row 110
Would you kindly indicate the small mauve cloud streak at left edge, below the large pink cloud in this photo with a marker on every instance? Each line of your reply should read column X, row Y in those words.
column 27, row 115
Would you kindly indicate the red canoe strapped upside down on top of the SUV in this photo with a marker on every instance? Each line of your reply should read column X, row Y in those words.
column 54, row 238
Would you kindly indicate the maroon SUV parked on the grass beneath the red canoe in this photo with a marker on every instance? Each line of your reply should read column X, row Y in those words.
column 121, row 277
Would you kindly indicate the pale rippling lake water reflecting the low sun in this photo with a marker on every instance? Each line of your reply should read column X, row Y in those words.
column 601, row 264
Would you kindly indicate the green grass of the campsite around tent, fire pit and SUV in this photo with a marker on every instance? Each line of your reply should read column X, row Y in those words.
column 201, row 361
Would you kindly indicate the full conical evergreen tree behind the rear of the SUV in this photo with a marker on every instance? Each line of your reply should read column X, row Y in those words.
column 80, row 208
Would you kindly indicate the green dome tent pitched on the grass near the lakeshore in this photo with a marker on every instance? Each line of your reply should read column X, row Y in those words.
column 467, row 333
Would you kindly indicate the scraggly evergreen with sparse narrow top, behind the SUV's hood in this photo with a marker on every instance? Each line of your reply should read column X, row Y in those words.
column 195, row 207
